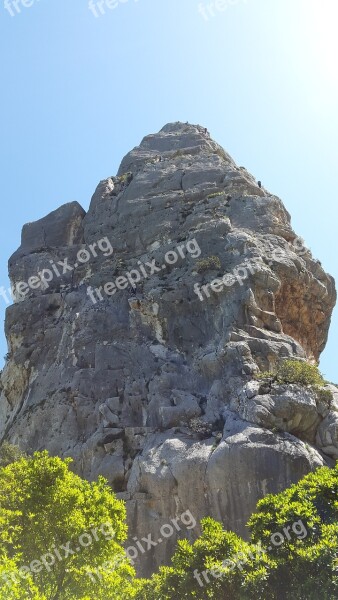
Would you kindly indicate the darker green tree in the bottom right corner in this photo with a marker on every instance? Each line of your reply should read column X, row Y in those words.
column 306, row 566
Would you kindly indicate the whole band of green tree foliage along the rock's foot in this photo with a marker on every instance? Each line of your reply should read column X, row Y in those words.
column 61, row 539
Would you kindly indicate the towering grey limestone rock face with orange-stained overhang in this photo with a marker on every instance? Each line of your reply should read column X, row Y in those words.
column 152, row 385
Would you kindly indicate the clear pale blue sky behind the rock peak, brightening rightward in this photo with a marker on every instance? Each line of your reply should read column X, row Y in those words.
column 78, row 92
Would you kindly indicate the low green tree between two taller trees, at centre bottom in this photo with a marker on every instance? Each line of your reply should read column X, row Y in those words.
column 218, row 565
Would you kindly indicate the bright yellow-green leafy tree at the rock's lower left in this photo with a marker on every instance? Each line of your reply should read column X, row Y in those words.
column 63, row 533
